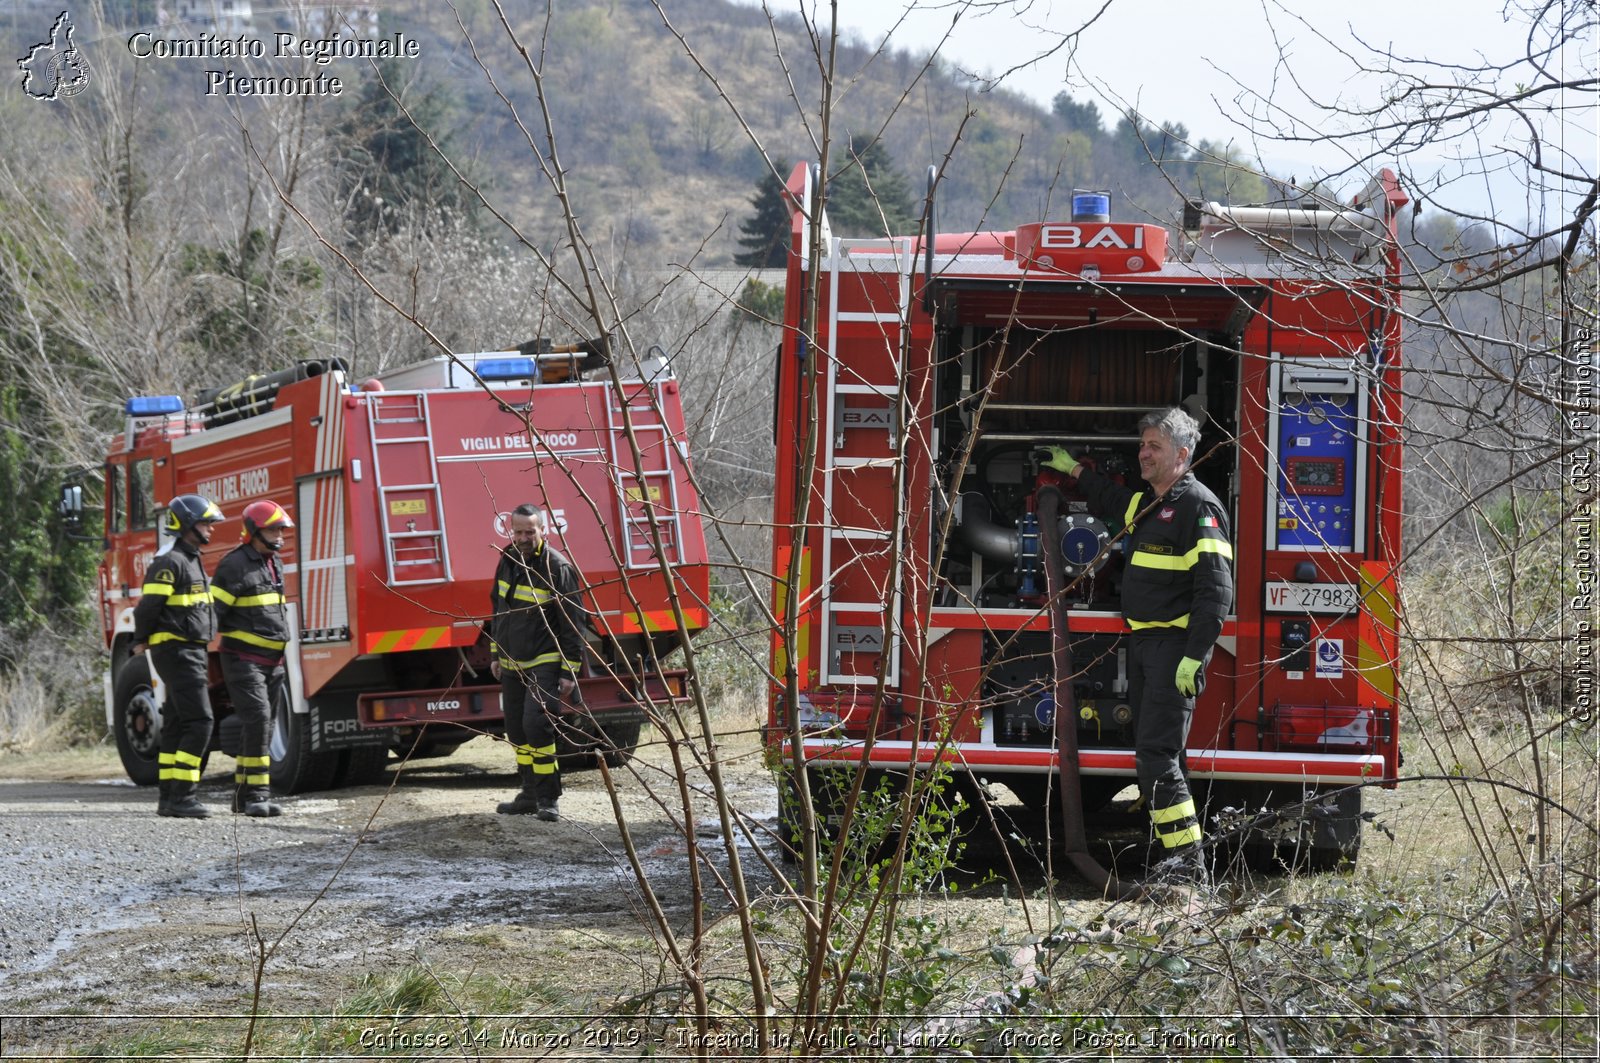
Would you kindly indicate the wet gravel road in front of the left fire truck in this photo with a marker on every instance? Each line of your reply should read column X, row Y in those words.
column 105, row 905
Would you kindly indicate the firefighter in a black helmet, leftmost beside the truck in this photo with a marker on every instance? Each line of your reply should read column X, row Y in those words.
column 174, row 620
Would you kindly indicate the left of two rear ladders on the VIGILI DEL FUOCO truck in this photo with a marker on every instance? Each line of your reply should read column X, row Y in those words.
column 410, row 507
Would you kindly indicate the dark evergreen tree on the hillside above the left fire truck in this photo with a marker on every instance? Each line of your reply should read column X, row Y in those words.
column 391, row 172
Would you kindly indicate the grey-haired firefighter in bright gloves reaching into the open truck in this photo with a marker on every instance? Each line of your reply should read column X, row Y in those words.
column 1177, row 588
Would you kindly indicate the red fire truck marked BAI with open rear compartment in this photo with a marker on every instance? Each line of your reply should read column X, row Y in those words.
column 914, row 396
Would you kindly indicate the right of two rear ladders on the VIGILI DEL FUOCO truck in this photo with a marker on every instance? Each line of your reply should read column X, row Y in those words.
column 655, row 479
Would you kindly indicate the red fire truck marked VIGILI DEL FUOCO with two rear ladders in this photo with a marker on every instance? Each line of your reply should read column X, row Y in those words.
column 401, row 492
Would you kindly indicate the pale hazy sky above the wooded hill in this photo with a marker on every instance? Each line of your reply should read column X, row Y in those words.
column 1178, row 62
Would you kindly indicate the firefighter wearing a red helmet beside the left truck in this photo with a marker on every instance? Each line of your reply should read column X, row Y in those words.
column 252, row 616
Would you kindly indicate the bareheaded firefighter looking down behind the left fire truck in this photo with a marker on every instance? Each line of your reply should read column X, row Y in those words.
column 538, row 644
